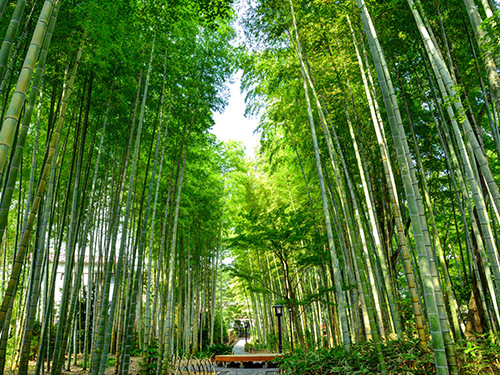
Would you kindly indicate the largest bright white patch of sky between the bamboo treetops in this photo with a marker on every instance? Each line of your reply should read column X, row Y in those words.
column 232, row 123
